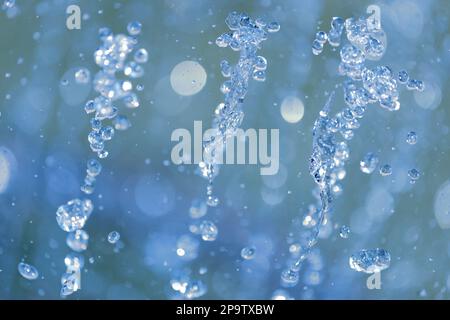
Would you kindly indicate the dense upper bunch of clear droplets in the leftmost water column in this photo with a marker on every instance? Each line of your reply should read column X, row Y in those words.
column 113, row 83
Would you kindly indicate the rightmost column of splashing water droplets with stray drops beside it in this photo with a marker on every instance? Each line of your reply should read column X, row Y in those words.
column 363, row 86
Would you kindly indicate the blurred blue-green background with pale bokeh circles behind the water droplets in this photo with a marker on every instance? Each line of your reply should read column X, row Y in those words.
column 142, row 195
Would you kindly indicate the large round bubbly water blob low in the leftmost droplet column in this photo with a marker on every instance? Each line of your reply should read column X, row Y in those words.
column 73, row 215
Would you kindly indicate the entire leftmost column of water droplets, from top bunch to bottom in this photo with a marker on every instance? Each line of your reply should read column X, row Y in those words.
column 113, row 85
